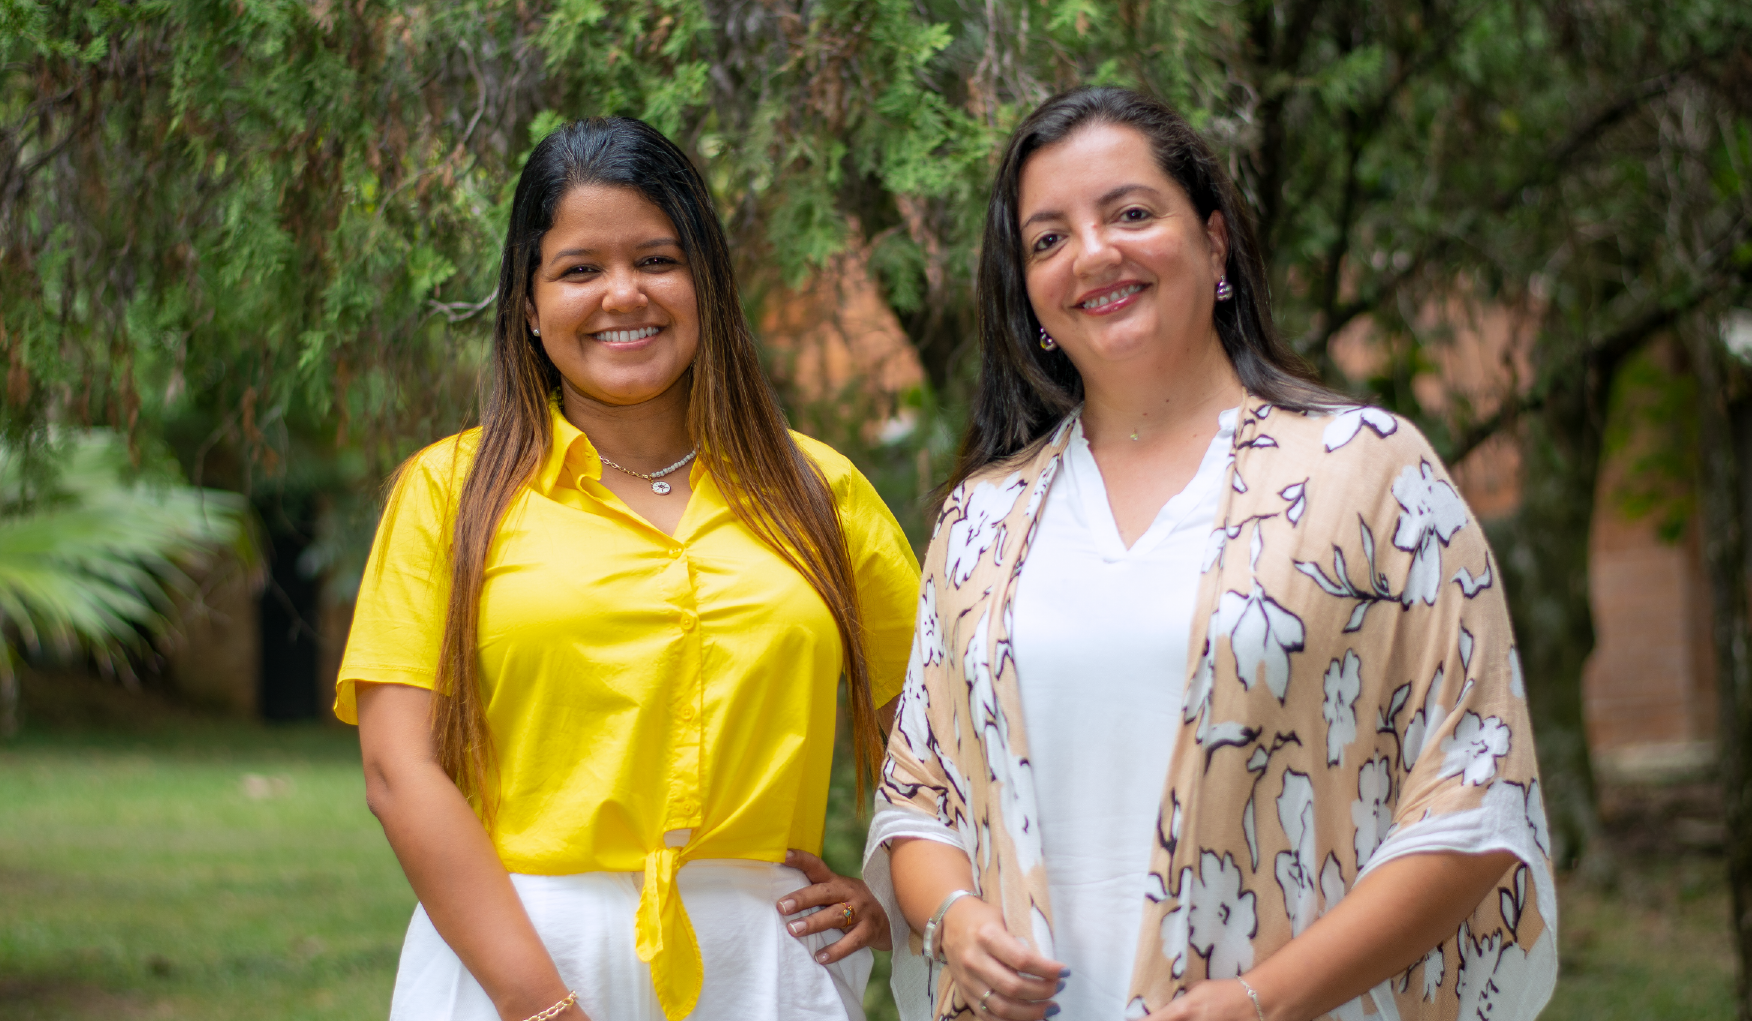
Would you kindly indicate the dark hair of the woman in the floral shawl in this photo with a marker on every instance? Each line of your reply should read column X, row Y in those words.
column 1026, row 391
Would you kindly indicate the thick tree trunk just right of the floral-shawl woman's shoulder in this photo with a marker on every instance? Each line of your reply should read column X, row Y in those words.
column 1544, row 556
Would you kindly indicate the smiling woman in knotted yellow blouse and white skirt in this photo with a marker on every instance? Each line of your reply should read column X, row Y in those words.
column 598, row 645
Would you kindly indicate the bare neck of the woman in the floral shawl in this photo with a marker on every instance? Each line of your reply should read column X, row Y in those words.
column 1178, row 390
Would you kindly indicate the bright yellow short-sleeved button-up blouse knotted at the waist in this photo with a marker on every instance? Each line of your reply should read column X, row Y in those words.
column 637, row 684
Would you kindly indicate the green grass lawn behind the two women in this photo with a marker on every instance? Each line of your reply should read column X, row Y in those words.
column 206, row 871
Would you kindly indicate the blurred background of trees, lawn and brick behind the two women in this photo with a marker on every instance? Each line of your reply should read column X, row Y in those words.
column 248, row 253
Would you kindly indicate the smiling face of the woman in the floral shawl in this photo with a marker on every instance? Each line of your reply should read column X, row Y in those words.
column 1117, row 260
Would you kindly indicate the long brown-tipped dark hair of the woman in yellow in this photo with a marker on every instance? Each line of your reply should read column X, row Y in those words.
column 733, row 418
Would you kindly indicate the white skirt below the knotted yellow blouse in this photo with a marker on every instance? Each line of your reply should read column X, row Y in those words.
column 754, row 968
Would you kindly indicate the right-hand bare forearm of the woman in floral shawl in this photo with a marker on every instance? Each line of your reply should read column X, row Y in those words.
column 1381, row 927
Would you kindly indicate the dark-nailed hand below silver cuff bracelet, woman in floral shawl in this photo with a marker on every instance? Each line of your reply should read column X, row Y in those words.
column 998, row 975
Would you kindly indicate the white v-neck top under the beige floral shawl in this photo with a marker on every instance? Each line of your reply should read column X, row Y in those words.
column 1101, row 638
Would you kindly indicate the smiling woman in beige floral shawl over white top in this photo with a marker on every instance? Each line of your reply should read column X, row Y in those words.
column 1213, row 708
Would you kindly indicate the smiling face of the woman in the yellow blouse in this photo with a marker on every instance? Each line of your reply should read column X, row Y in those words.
column 614, row 297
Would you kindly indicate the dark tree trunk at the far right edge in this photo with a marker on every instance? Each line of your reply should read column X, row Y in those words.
column 1727, row 453
